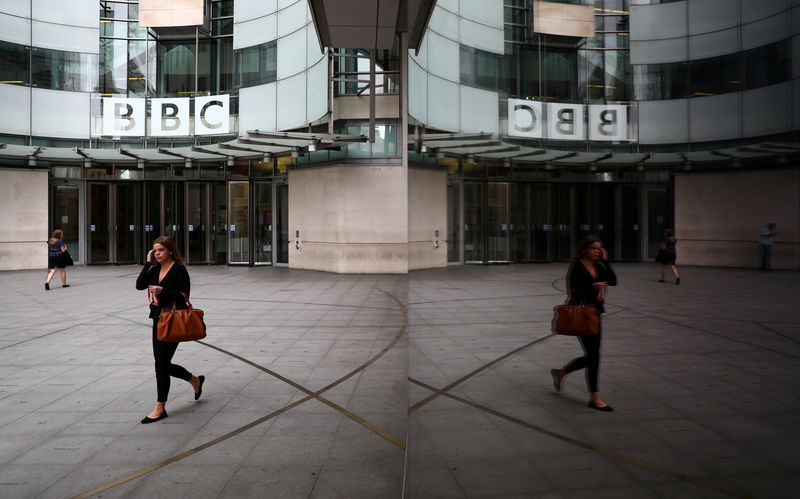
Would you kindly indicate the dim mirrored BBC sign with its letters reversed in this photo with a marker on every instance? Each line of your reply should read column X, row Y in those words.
column 566, row 121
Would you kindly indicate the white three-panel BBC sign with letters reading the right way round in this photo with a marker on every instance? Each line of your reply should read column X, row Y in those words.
column 169, row 117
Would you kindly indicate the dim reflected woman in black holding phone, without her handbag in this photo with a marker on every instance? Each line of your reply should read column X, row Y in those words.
column 588, row 277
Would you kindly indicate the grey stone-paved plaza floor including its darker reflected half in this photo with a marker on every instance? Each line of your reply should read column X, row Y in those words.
column 434, row 384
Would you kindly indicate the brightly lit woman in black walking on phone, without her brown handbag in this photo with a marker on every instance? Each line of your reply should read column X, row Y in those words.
column 167, row 281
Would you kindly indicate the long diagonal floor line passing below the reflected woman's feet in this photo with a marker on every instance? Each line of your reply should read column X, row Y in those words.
column 584, row 445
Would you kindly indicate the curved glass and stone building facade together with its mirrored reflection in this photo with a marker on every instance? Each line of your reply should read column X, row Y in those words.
column 399, row 135
